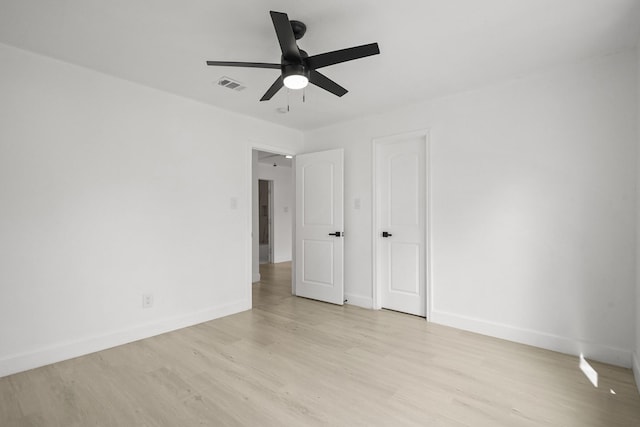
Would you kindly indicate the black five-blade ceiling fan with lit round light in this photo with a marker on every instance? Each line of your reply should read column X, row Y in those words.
column 296, row 67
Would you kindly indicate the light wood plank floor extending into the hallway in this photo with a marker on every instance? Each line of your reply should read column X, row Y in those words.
column 296, row 362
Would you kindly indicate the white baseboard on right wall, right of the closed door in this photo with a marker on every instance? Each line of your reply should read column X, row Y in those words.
column 590, row 350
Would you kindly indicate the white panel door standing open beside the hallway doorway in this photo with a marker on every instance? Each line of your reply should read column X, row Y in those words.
column 319, row 226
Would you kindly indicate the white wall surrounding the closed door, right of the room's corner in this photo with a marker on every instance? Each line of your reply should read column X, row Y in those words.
column 532, row 206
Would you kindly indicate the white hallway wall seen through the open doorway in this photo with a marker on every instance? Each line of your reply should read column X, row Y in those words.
column 283, row 199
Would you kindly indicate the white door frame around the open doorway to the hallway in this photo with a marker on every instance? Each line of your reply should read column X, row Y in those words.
column 254, row 145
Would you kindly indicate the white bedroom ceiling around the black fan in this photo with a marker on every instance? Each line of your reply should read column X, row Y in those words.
column 429, row 48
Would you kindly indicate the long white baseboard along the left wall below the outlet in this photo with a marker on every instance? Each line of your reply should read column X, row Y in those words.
column 69, row 350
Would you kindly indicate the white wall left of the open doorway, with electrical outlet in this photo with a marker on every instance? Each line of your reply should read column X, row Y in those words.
column 109, row 190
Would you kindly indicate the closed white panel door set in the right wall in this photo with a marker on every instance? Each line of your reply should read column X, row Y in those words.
column 401, row 204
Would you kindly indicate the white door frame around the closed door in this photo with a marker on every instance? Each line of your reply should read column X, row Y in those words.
column 375, row 143
